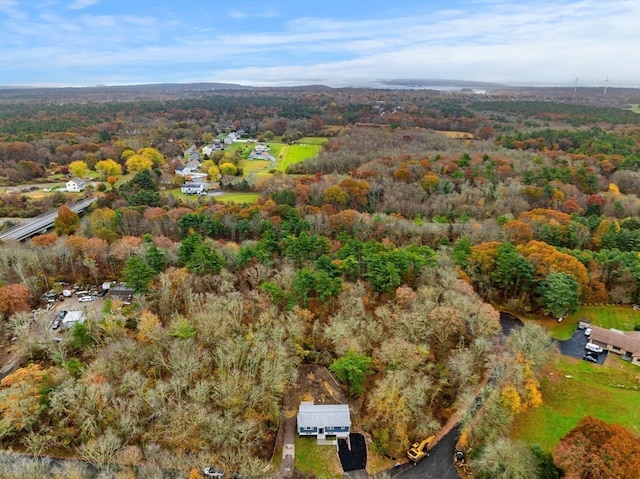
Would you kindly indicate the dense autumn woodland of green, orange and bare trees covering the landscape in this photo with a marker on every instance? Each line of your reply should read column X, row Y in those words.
column 388, row 254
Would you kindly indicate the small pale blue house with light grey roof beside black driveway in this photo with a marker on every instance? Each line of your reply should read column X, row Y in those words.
column 323, row 420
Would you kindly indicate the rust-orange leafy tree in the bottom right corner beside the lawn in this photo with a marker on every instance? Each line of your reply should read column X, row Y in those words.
column 597, row 450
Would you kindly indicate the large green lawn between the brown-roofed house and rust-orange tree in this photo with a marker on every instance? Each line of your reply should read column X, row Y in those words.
column 572, row 389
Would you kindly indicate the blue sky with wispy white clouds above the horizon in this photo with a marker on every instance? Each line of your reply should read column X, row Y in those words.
column 336, row 43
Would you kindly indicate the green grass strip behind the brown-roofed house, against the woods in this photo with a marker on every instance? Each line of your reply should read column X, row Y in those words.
column 619, row 317
